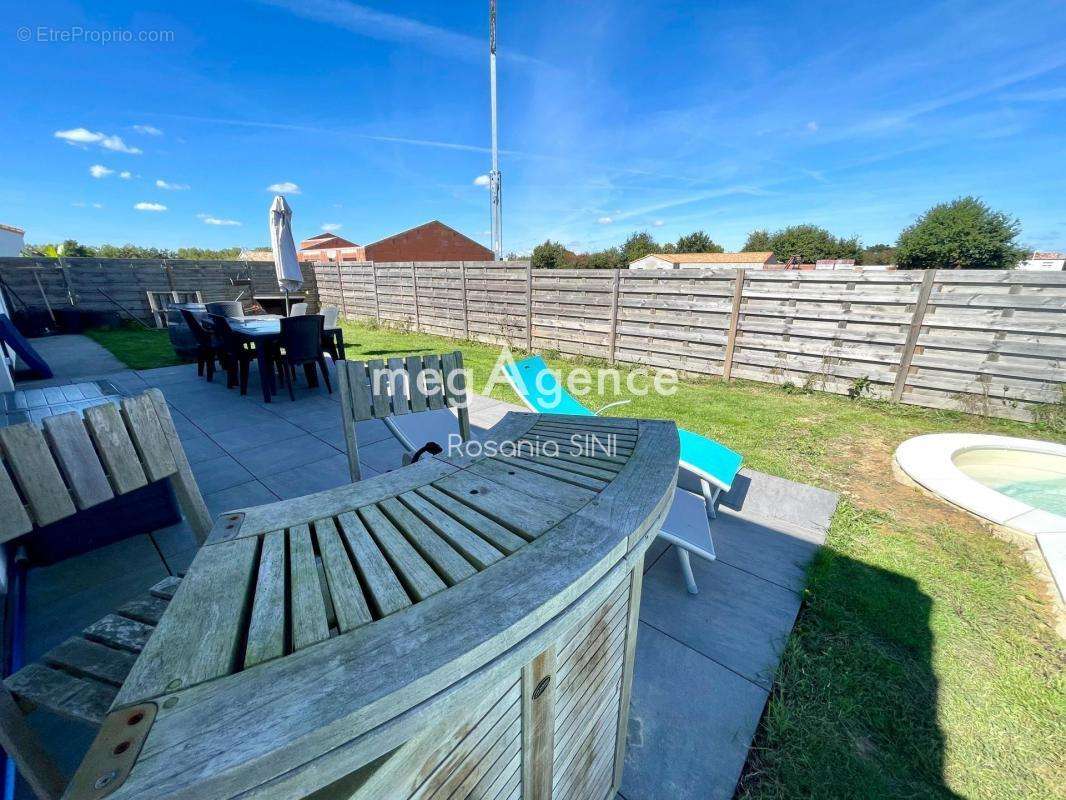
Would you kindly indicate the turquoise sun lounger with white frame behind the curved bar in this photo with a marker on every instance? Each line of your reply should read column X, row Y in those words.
column 712, row 468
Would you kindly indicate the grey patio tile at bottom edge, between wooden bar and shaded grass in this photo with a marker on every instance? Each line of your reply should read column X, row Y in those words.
column 690, row 724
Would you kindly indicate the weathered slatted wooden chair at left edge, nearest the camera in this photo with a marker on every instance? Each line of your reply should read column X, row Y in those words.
column 76, row 463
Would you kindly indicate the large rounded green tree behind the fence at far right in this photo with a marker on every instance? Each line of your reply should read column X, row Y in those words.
column 962, row 235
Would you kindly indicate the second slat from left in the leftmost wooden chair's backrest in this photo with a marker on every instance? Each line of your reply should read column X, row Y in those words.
column 37, row 473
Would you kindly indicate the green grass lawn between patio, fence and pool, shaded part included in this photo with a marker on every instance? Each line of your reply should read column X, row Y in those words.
column 925, row 663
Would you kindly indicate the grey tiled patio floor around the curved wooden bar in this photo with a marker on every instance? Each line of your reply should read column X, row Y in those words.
column 705, row 664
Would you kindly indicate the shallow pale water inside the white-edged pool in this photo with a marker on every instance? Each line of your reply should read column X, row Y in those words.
column 1037, row 479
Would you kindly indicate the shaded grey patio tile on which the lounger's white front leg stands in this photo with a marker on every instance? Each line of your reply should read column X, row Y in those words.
column 739, row 620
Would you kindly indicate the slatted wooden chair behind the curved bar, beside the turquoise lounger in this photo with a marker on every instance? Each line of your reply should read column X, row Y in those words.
column 377, row 390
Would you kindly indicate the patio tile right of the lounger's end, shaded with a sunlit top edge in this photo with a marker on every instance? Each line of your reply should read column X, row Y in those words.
column 772, row 550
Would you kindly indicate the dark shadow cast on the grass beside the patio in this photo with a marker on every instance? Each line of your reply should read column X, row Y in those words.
column 853, row 713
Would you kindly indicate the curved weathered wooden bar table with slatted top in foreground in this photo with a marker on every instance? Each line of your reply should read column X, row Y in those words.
column 462, row 627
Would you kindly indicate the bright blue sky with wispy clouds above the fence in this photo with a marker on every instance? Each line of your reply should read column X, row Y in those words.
column 616, row 117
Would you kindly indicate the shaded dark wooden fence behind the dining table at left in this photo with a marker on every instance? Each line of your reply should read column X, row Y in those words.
column 89, row 283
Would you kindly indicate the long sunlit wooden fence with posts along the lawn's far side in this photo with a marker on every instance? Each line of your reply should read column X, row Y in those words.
column 991, row 343
